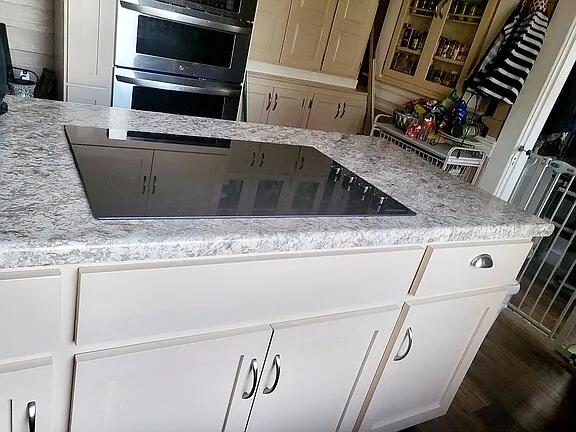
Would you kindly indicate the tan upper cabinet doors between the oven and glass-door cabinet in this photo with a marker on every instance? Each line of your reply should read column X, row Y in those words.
column 317, row 35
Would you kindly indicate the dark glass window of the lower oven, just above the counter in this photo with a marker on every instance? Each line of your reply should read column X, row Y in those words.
column 174, row 102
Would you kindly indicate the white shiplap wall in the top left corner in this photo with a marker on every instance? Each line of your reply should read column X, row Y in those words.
column 30, row 26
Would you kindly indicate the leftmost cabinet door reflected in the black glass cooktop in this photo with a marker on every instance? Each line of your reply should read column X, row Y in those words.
column 116, row 179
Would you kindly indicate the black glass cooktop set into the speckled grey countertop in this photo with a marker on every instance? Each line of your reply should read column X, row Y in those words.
column 146, row 175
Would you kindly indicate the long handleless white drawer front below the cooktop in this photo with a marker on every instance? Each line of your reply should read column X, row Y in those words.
column 217, row 294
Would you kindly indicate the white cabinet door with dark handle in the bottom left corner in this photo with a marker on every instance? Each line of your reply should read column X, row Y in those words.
column 26, row 396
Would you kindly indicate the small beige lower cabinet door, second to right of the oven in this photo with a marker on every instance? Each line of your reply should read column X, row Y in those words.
column 288, row 106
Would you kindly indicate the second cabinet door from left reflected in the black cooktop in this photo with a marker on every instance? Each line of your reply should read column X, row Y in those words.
column 185, row 183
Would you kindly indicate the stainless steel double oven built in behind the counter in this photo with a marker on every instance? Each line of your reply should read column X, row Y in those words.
column 182, row 56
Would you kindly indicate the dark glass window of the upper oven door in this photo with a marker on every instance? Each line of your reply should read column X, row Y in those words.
column 183, row 42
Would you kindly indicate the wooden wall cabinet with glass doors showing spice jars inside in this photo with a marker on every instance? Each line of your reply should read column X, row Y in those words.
column 435, row 44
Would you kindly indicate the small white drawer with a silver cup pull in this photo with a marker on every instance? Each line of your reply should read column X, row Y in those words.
column 450, row 269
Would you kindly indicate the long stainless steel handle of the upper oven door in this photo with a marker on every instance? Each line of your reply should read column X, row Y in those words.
column 162, row 11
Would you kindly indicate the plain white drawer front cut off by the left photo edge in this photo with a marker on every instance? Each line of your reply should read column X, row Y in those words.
column 29, row 312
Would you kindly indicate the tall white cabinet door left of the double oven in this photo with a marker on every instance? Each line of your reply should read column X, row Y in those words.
column 91, row 28
